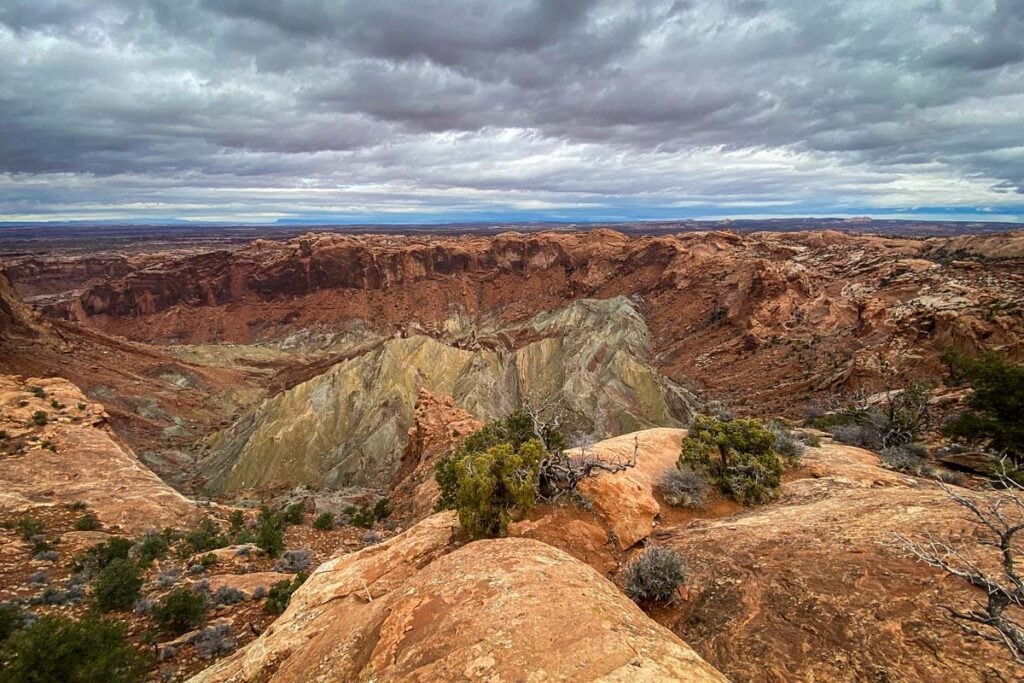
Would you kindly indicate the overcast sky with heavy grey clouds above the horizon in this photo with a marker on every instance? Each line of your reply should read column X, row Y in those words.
column 439, row 110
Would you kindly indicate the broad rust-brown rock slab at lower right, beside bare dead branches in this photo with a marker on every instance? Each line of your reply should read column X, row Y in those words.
column 815, row 588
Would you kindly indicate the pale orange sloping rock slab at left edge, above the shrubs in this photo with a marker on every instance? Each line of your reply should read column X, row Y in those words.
column 89, row 464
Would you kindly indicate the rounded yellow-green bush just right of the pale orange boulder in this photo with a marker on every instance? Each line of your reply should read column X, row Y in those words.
column 738, row 456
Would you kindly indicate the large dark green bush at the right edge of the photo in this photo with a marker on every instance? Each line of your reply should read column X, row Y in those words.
column 996, row 415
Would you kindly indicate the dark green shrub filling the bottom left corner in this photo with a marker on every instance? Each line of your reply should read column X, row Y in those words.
column 54, row 649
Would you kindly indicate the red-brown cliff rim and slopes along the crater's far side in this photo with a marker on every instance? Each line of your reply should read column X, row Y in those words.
column 760, row 319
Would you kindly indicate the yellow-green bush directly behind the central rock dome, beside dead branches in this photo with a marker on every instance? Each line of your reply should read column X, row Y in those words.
column 490, row 488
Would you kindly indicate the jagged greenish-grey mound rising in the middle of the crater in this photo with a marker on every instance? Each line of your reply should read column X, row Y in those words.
column 348, row 426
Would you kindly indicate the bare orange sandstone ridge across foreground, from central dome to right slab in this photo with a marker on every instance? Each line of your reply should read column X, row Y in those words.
column 813, row 587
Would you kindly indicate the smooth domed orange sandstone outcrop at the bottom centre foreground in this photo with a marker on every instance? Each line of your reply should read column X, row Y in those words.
column 415, row 609
